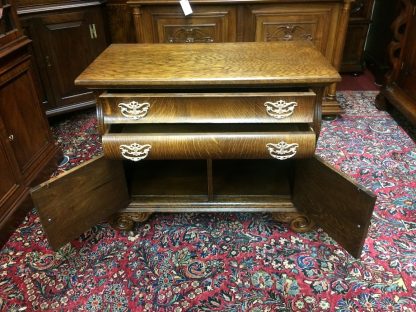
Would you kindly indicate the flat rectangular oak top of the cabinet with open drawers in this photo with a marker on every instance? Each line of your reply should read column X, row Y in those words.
column 209, row 64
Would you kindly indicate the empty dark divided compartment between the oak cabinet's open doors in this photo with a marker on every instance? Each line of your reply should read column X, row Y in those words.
column 264, row 183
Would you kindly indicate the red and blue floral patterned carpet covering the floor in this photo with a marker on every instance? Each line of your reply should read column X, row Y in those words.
column 237, row 261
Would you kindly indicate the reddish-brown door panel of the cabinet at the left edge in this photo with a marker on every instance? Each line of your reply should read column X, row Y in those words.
column 23, row 117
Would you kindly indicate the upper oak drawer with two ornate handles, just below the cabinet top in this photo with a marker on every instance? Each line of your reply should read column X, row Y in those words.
column 274, row 107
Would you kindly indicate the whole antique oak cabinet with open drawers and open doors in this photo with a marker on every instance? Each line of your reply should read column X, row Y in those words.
column 208, row 127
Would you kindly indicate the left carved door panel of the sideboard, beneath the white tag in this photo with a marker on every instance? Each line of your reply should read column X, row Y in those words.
column 206, row 24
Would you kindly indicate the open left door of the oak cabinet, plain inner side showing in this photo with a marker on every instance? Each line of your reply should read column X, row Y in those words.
column 71, row 203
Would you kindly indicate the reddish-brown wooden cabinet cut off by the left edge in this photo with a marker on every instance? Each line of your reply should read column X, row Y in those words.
column 27, row 151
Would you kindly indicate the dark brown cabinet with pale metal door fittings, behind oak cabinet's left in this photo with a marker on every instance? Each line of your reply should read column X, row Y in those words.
column 67, row 36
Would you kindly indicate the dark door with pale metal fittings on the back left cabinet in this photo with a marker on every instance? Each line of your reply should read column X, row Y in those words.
column 68, row 43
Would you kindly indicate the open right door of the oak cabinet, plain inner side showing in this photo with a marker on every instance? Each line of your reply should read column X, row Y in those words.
column 334, row 201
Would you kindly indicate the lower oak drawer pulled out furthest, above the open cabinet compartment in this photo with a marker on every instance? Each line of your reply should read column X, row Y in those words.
column 209, row 141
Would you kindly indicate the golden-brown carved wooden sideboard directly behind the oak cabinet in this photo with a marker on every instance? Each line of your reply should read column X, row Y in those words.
column 324, row 22
